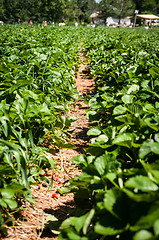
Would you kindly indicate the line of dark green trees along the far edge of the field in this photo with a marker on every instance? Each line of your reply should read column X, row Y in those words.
column 71, row 10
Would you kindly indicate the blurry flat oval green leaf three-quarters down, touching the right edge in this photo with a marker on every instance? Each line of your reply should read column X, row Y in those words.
column 142, row 183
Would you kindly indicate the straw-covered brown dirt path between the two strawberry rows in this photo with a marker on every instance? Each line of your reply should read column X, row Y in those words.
column 29, row 227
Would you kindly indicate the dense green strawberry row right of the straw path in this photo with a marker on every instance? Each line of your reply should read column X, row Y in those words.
column 117, row 193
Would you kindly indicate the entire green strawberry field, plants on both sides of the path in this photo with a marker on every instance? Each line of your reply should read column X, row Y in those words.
column 117, row 194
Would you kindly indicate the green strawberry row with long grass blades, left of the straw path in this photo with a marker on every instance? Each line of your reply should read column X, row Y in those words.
column 37, row 85
